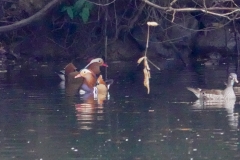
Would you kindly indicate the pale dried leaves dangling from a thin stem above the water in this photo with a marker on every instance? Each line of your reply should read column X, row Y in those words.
column 146, row 72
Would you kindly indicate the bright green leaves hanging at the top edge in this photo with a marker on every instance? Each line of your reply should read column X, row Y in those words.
column 81, row 8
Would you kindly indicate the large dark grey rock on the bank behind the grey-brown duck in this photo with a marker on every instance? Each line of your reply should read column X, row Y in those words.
column 217, row 37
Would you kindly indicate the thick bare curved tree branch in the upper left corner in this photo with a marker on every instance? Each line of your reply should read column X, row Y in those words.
column 31, row 19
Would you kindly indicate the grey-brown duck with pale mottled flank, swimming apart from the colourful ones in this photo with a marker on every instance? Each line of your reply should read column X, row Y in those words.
column 215, row 94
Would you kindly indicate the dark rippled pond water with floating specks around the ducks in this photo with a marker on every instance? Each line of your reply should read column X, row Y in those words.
column 39, row 121
